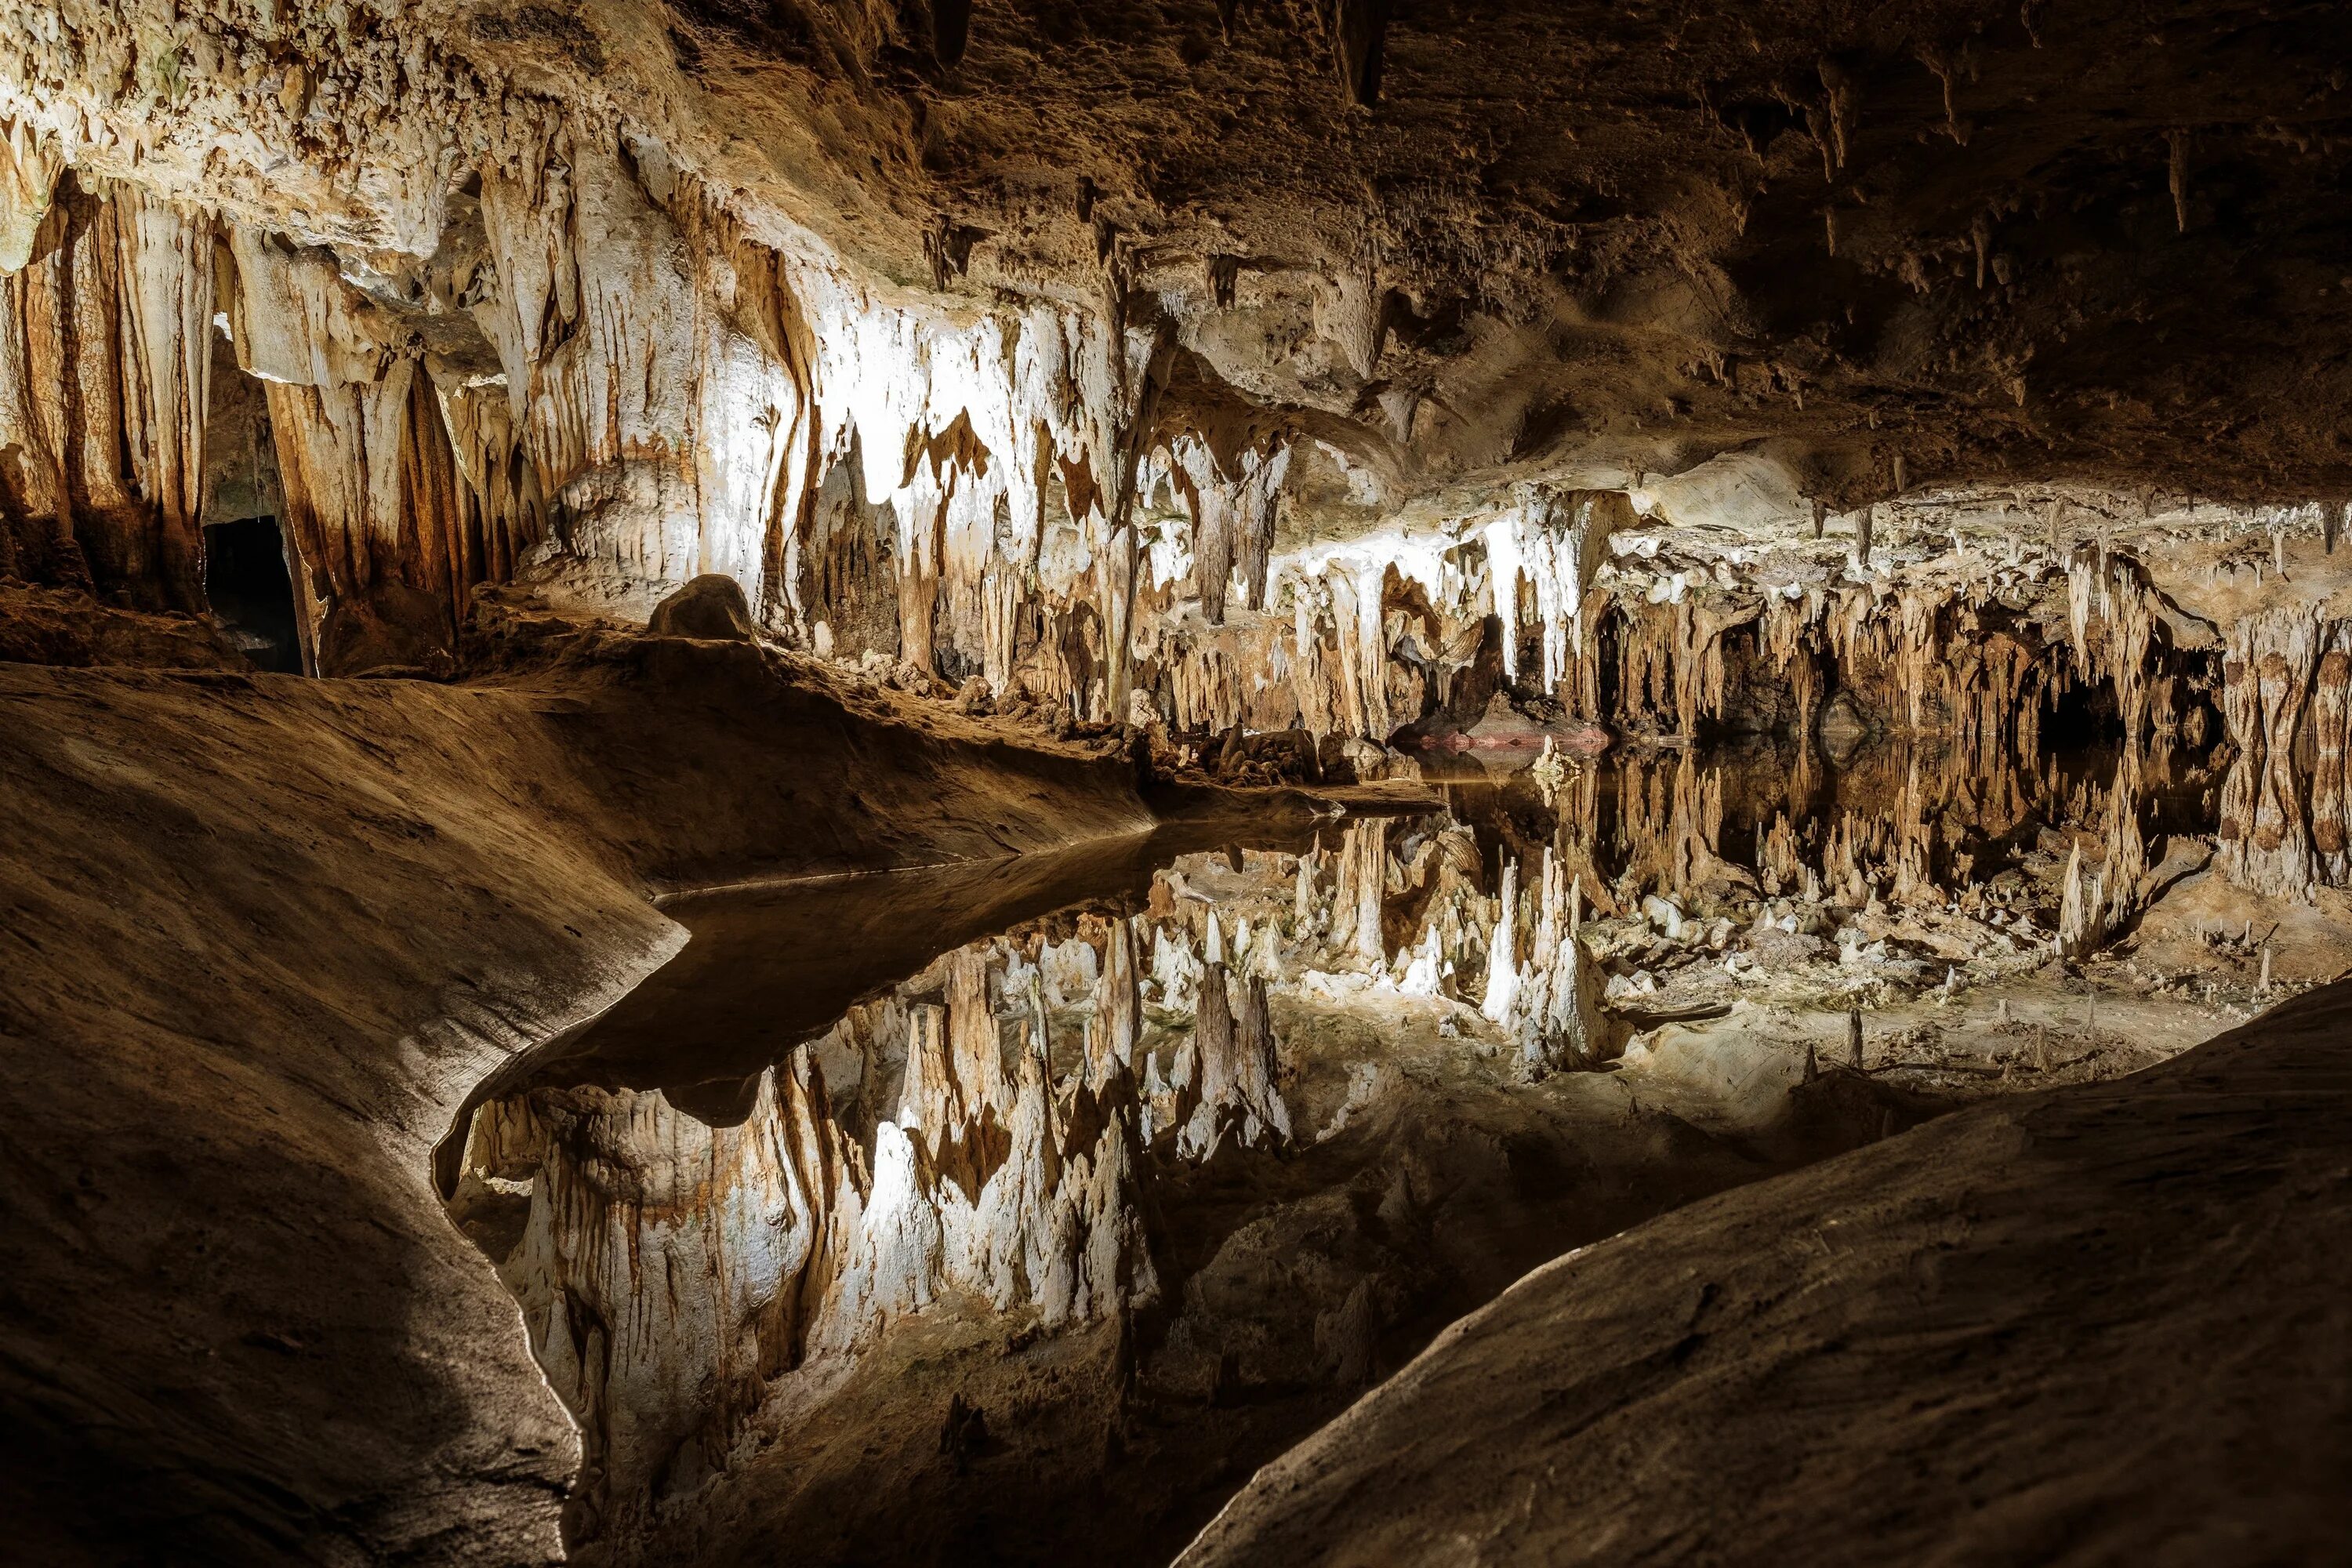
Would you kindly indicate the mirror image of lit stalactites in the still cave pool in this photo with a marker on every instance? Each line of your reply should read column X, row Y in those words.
column 855, row 1106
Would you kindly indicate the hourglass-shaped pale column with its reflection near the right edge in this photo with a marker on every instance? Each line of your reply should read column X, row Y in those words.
column 2266, row 681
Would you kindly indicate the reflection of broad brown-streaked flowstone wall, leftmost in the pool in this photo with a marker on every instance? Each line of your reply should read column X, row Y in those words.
column 662, row 1254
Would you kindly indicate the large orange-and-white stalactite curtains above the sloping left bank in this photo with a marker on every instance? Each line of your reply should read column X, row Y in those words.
column 669, row 398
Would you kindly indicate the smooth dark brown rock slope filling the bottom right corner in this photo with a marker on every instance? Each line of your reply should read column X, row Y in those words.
column 1960, row 1341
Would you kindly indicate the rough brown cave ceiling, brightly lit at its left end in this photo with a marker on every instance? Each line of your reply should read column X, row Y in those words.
column 1885, row 246
